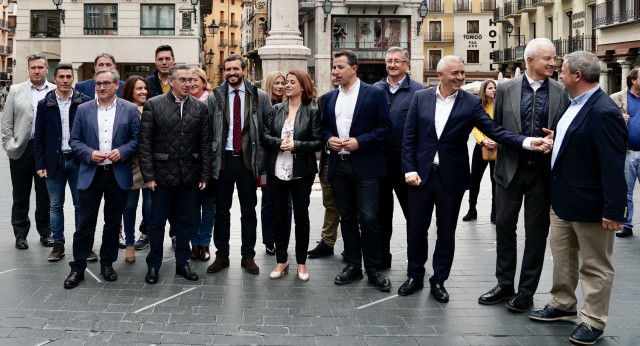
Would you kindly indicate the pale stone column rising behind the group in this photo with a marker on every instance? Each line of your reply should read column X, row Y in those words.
column 283, row 50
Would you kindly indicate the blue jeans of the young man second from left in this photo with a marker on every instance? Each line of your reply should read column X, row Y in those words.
column 67, row 172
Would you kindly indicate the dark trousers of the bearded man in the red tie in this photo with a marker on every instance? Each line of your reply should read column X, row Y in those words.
column 236, row 174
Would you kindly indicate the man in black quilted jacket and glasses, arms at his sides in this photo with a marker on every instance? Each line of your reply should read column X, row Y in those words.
column 175, row 160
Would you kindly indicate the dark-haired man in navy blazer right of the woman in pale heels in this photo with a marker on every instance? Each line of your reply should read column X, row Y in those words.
column 356, row 125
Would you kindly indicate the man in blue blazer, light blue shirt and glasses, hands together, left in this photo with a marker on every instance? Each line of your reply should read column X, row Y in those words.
column 104, row 137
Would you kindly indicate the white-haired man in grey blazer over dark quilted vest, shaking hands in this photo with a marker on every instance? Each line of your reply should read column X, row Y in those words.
column 528, row 105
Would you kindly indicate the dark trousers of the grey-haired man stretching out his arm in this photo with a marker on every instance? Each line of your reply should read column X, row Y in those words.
column 422, row 200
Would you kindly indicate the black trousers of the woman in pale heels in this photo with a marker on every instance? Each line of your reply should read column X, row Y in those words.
column 299, row 190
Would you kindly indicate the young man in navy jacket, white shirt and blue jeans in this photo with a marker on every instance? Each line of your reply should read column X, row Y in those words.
column 54, row 159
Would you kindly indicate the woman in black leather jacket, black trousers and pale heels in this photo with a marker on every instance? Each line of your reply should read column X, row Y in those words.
column 292, row 137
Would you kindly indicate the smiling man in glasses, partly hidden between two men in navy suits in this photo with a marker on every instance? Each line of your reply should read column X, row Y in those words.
column 399, row 89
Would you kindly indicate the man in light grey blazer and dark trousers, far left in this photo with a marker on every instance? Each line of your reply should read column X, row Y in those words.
column 17, row 129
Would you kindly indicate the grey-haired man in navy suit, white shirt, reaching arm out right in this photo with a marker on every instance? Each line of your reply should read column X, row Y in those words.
column 435, row 161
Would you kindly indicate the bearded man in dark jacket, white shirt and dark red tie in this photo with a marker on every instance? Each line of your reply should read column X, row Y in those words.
column 236, row 109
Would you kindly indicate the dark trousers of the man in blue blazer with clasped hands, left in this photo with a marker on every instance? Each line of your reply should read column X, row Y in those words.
column 104, row 184
